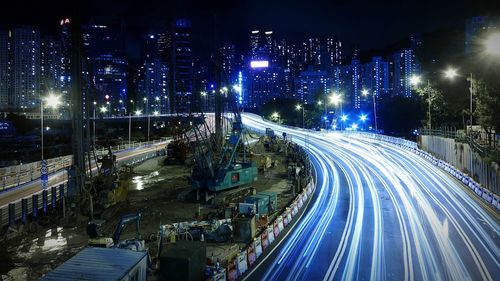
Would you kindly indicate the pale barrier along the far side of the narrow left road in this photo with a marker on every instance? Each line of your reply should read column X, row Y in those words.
column 14, row 176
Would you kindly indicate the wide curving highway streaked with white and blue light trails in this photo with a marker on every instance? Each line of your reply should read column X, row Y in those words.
column 382, row 213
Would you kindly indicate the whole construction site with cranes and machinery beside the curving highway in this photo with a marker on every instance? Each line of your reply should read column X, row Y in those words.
column 205, row 208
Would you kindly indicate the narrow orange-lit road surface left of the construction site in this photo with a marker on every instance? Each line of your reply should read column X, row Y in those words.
column 27, row 189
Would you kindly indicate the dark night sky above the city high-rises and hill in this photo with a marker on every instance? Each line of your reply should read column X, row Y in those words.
column 371, row 24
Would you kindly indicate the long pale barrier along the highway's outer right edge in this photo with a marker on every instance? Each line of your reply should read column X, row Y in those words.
column 482, row 192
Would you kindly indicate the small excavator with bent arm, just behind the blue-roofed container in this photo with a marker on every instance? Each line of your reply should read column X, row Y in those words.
column 97, row 239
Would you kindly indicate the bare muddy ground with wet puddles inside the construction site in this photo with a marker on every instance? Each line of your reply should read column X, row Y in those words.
column 161, row 193
